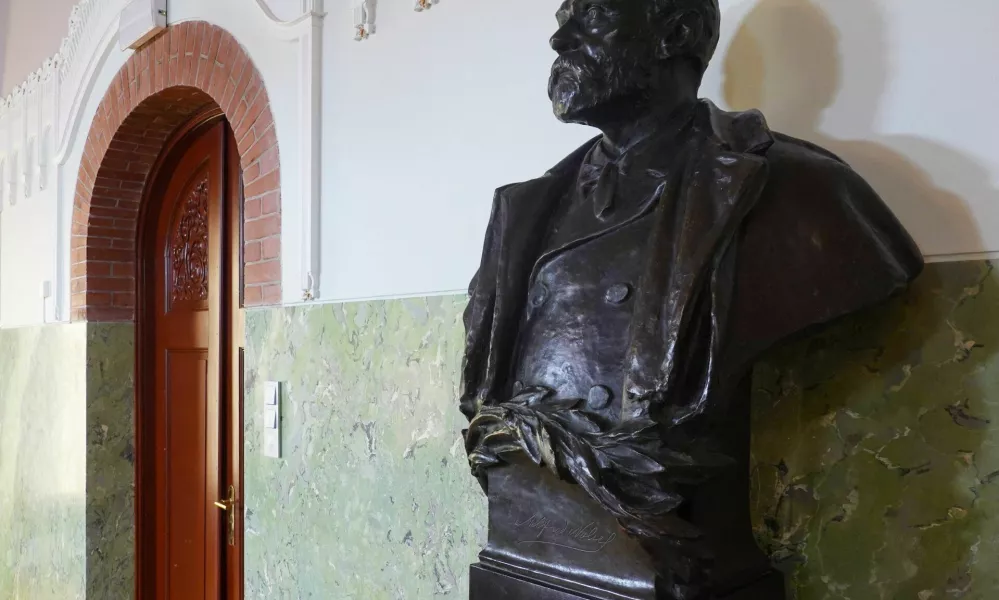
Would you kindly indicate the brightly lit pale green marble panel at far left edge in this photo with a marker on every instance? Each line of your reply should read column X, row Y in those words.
column 42, row 464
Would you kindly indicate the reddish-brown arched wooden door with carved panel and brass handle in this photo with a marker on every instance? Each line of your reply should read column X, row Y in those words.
column 190, row 544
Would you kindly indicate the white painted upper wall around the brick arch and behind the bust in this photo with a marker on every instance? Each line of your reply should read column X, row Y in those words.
column 424, row 119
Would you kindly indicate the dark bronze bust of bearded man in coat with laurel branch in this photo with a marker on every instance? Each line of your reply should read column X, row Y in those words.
column 620, row 303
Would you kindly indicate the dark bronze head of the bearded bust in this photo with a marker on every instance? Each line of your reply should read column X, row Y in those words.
column 611, row 53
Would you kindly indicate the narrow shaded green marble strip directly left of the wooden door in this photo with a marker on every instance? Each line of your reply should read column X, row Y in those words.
column 110, row 461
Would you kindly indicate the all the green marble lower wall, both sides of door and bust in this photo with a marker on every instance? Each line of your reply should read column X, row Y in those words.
column 875, row 453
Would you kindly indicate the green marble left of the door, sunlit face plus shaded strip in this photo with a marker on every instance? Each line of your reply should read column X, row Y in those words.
column 66, row 476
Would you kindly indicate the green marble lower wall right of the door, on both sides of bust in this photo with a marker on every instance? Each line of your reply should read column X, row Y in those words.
column 875, row 458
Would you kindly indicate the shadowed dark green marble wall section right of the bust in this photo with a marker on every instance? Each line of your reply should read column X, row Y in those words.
column 876, row 447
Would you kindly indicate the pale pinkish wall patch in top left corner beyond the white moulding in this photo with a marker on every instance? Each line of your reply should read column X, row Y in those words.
column 30, row 31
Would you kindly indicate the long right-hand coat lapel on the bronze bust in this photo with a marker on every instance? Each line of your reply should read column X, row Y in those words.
column 721, row 181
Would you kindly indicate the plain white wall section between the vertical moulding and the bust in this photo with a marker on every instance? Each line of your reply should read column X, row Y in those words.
column 423, row 120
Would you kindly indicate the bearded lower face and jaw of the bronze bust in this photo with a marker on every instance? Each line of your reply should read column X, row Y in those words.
column 580, row 84
